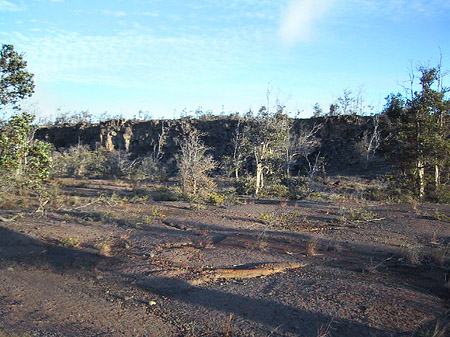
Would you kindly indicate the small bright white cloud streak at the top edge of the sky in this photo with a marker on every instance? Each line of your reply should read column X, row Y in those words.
column 299, row 18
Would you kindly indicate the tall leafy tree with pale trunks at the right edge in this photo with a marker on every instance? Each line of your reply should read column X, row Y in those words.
column 420, row 130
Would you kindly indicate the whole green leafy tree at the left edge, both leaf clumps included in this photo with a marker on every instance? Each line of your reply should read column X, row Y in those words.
column 23, row 160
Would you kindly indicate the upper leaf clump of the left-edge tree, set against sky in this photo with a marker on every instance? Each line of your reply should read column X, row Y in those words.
column 15, row 82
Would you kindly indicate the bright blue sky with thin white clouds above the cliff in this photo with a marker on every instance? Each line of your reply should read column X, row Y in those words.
column 122, row 56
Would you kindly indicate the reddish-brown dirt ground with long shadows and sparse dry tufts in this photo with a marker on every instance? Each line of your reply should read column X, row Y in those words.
column 96, row 261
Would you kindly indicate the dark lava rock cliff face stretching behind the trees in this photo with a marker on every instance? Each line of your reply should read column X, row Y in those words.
column 339, row 137
